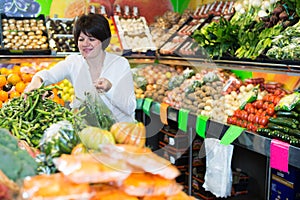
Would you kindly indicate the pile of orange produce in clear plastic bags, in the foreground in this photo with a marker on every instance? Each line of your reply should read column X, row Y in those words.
column 118, row 171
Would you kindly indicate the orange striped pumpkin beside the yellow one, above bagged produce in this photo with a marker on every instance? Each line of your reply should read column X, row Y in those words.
column 129, row 133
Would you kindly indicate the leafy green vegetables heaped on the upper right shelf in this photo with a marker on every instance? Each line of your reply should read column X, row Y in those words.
column 255, row 24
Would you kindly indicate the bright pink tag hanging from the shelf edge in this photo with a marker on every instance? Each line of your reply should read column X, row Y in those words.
column 279, row 155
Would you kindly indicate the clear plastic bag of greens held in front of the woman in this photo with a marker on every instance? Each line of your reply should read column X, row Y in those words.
column 95, row 112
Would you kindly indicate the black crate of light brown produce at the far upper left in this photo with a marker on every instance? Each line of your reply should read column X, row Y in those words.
column 24, row 34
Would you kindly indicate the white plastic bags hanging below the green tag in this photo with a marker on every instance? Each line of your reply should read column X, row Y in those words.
column 218, row 176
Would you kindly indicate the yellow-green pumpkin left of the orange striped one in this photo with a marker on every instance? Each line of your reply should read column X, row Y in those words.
column 91, row 137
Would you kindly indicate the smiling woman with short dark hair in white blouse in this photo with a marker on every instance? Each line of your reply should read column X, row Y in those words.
column 94, row 69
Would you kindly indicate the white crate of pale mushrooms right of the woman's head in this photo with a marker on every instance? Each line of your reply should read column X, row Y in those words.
column 133, row 32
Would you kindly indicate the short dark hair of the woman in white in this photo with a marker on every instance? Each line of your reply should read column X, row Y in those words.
column 94, row 25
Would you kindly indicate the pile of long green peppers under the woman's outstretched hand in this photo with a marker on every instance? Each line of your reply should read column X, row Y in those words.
column 28, row 116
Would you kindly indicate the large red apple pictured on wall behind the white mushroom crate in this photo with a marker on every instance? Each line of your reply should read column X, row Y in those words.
column 148, row 8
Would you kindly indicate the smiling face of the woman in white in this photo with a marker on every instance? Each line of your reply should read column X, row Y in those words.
column 89, row 46
